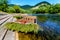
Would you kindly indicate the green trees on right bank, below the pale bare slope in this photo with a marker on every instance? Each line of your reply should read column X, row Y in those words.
column 52, row 9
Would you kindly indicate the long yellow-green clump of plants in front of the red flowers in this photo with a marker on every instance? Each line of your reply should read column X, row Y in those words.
column 22, row 27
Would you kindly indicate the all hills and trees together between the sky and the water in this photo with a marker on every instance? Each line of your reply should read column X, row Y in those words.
column 42, row 7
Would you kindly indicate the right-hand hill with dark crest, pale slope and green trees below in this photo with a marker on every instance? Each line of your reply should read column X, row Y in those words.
column 45, row 7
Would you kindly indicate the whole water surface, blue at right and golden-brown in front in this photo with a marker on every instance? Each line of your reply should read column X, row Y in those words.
column 51, row 29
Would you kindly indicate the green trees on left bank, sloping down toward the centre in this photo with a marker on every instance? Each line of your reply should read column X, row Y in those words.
column 5, row 7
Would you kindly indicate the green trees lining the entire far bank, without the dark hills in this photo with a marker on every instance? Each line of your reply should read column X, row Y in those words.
column 45, row 8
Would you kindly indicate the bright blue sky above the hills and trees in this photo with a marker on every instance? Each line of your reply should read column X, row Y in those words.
column 31, row 2
